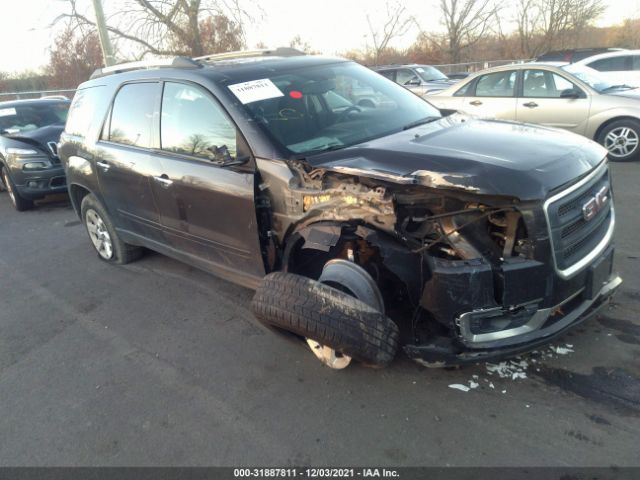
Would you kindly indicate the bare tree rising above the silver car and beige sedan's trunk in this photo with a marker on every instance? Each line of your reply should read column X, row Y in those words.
column 466, row 22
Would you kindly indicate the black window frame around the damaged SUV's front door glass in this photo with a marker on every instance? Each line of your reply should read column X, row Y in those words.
column 240, row 138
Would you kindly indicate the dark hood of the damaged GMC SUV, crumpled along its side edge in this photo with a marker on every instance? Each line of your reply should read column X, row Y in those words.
column 481, row 156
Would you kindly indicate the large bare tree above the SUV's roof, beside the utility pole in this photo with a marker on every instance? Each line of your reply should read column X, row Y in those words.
column 167, row 27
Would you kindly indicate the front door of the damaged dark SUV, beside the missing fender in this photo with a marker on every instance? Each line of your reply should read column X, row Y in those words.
column 206, row 204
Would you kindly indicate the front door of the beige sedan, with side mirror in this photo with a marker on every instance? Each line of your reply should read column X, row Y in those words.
column 540, row 101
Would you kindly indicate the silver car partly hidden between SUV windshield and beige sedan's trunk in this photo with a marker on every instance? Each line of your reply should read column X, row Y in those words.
column 420, row 79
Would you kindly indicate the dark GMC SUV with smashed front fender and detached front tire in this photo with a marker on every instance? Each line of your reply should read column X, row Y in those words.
column 363, row 228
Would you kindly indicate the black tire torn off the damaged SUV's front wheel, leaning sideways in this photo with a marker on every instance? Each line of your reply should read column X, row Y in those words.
column 333, row 318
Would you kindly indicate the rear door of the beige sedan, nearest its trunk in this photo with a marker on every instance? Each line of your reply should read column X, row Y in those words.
column 492, row 96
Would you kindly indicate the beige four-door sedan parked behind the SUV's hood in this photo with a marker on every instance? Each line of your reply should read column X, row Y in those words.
column 572, row 97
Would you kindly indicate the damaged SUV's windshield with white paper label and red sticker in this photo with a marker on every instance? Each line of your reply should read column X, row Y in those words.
column 329, row 107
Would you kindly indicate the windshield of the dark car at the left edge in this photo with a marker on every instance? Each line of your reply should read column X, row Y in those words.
column 26, row 117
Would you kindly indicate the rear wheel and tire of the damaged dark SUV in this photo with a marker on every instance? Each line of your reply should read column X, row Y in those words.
column 103, row 235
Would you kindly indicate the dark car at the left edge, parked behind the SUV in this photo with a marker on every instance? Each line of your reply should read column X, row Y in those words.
column 29, row 165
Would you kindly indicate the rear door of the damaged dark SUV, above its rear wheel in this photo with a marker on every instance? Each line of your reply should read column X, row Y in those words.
column 124, row 164
